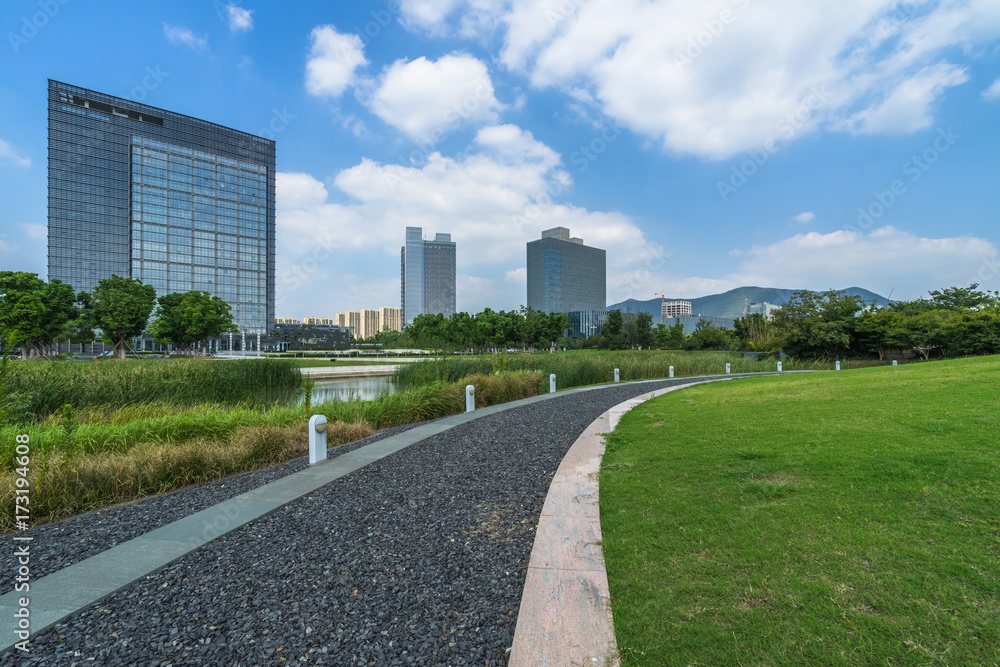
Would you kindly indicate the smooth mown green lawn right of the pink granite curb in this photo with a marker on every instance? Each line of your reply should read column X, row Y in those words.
column 828, row 518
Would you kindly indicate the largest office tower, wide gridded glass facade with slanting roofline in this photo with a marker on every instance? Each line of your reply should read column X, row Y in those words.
column 176, row 202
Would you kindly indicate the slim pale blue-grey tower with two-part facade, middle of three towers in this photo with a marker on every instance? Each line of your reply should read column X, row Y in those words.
column 427, row 275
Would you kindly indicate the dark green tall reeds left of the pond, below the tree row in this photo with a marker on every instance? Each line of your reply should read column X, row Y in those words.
column 38, row 390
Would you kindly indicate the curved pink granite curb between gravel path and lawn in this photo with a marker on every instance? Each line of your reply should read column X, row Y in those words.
column 565, row 615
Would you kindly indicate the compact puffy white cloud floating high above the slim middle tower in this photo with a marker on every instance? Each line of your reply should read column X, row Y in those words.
column 426, row 99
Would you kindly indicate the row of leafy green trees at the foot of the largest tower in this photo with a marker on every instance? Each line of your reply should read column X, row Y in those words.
column 35, row 315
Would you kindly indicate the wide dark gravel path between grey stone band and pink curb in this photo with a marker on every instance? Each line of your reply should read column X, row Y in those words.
column 418, row 558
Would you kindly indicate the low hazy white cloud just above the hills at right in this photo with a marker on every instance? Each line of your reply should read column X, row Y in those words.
column 883, row 259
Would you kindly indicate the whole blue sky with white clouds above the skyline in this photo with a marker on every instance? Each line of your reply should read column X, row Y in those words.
column 704, row 145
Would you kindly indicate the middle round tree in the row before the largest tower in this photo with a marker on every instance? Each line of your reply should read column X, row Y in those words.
column 121, row 308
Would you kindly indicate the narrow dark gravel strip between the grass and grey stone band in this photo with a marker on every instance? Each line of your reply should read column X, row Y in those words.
column 63, row 543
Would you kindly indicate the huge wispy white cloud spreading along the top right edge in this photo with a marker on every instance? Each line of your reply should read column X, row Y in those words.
column 718, row 77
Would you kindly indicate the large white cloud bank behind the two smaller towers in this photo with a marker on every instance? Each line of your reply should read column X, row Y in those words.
column 492, row 200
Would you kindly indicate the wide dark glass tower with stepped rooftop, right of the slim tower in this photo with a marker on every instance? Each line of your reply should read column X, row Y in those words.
column 564, row 275
